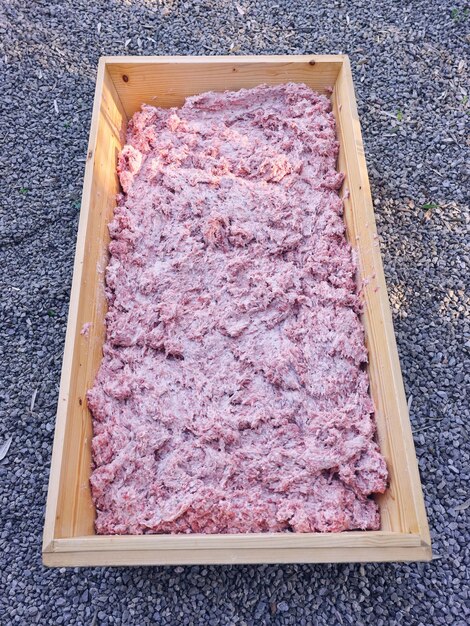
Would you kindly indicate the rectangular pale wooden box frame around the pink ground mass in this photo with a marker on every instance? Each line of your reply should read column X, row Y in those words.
column 123, row 84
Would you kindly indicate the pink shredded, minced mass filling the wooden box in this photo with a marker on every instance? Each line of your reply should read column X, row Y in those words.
column 232, row 396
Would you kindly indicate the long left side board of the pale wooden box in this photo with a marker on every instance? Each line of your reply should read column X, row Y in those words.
column 71, row 464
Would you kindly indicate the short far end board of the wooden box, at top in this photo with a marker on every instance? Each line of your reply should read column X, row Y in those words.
column 168, row 82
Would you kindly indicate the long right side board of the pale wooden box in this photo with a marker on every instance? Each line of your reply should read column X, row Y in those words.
column 402, row 506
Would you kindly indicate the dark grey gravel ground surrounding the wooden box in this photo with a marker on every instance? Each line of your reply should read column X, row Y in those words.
column 410, row 73
